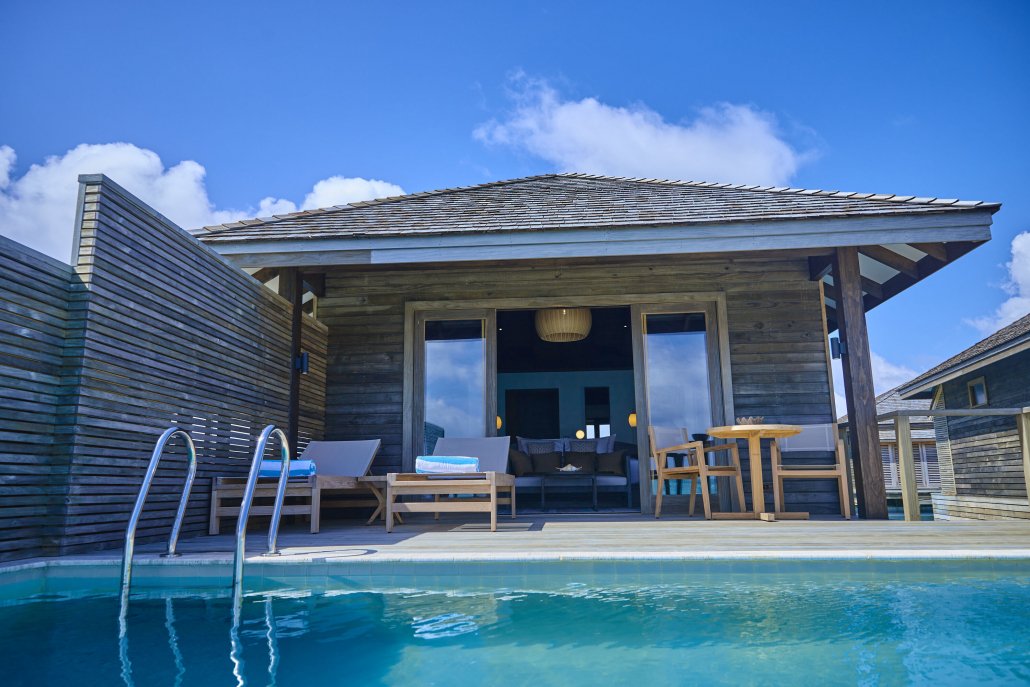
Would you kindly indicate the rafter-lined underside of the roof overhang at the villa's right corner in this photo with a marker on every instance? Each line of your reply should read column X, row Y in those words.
column 887, row 270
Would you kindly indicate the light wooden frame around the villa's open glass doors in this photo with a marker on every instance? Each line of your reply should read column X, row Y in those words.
column 713, row 304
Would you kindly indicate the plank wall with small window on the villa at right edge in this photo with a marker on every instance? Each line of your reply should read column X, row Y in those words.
column 985, row 452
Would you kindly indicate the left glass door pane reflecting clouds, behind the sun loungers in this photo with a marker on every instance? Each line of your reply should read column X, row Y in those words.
column 455, row 367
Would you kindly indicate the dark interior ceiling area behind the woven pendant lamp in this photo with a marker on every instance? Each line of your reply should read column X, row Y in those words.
column 609, row 347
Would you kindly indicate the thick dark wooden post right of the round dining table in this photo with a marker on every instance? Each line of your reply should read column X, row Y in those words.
column 859, row 387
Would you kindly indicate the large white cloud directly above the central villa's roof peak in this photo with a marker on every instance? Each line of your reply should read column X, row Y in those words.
column 726, row 143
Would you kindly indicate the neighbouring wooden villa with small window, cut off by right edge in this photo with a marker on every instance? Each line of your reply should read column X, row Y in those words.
column 981, row 462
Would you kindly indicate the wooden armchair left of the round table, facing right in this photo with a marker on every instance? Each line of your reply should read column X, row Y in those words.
column 668, row 441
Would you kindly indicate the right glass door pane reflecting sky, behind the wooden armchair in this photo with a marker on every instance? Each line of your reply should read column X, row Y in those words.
column 678, row 381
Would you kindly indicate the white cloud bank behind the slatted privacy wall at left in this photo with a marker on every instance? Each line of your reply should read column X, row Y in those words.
column 39, row 209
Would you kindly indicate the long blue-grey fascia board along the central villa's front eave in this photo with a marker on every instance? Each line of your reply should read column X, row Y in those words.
column 971, row 225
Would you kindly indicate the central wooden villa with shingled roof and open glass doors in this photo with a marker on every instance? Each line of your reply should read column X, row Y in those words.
column 715, row 300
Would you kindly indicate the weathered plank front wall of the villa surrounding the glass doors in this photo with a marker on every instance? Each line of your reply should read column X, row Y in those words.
column 777, row 349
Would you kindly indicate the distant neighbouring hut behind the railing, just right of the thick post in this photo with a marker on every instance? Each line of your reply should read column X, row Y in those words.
column 923, row 443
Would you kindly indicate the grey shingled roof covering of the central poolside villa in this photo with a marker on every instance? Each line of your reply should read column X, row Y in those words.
column 575, row 201
